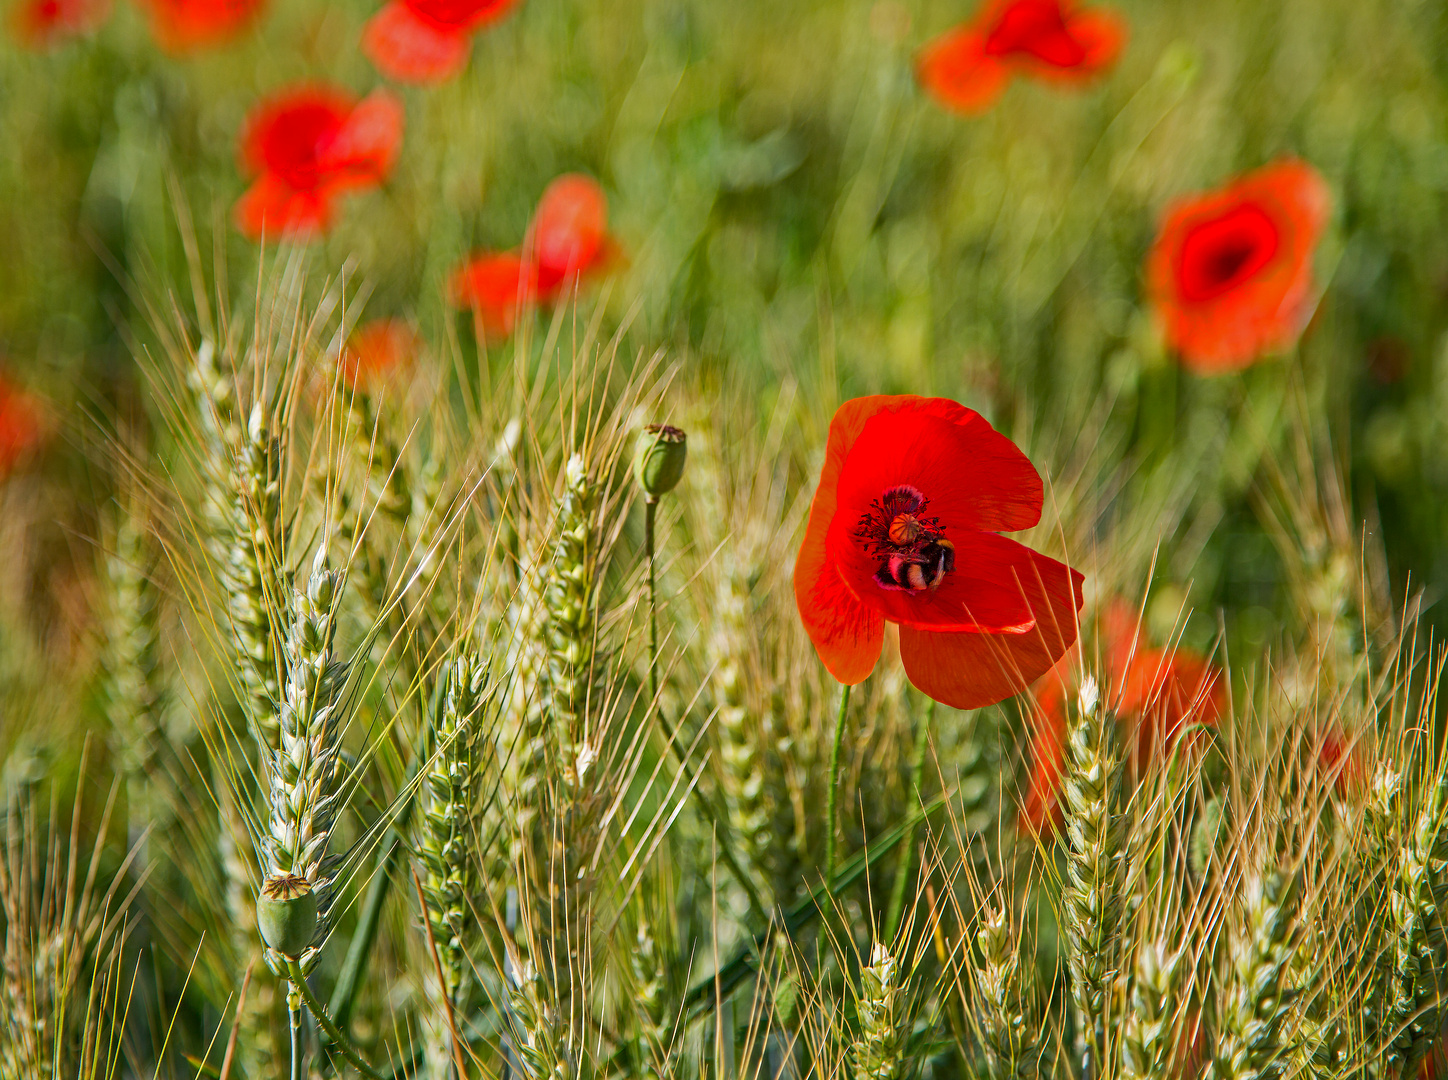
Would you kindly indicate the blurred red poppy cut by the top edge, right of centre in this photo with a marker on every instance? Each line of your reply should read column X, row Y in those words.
column 971, row 66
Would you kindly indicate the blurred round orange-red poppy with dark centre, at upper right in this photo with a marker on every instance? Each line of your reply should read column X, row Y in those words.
column 1232, row 271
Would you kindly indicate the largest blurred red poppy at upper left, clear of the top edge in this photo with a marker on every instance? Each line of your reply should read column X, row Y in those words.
column 309, row 147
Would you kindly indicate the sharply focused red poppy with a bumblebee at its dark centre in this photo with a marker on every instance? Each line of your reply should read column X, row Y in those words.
column 904, row 529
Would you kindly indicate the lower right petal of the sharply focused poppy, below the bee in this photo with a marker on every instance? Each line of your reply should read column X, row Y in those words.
column 972, row 671
